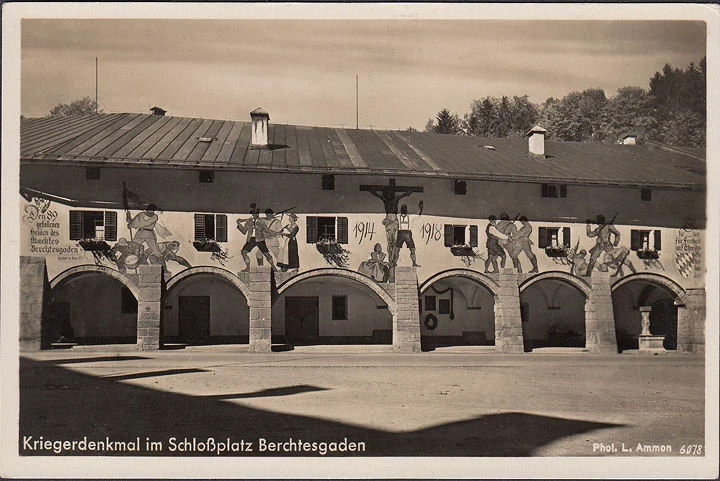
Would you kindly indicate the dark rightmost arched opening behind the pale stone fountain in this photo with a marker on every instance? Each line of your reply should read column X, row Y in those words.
column 639, row 291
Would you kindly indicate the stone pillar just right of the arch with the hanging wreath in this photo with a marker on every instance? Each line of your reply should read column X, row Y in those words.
column 508, row 321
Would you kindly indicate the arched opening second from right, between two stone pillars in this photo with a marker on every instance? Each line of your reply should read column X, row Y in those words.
column 553, row 313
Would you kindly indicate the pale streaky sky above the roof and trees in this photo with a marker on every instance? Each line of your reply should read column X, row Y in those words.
column 303, row 71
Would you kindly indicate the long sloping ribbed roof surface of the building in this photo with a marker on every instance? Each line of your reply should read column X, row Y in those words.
column 151, row 140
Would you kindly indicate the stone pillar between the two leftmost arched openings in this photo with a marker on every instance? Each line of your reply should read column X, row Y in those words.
column 150, row 287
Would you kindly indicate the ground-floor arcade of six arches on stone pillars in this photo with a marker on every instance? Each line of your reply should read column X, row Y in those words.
column 451, row 307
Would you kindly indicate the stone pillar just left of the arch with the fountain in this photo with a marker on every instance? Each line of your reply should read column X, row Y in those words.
column 599, row 316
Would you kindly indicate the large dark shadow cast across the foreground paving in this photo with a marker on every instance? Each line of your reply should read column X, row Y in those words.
column 97, row 408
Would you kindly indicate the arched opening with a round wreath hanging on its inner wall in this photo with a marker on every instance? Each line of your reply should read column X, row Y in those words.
column 457, row 310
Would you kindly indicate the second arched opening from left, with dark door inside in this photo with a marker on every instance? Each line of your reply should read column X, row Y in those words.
column 205, row 308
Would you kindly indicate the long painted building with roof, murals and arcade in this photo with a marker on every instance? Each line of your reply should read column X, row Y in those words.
column 134, row 229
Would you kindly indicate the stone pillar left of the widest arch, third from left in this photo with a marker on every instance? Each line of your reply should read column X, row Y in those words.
column 260, row 304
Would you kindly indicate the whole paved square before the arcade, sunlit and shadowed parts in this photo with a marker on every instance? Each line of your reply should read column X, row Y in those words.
column 456, row 402
